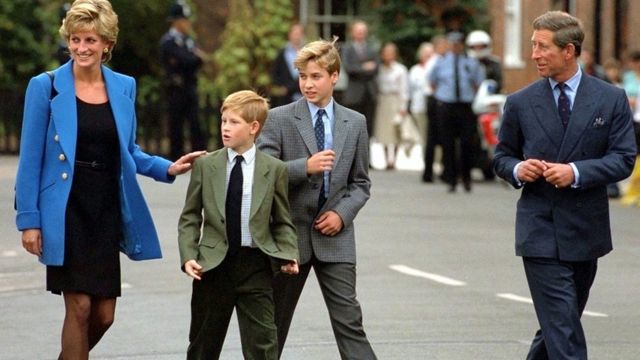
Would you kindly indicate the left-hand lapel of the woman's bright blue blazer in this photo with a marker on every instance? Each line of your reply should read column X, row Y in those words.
column 63, row 110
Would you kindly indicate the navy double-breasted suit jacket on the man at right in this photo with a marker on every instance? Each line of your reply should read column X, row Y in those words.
column 569, row 224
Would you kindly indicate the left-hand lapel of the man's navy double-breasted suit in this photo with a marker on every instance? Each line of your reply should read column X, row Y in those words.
column 545, row 110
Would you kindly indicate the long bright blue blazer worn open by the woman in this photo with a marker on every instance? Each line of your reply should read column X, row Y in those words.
column 47, row 158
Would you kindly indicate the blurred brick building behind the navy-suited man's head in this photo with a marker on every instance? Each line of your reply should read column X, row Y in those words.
column 609, row 28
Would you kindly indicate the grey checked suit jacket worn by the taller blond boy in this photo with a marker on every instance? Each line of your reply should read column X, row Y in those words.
column 288, row 135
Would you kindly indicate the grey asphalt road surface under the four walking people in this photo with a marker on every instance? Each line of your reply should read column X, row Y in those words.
column 437, row 279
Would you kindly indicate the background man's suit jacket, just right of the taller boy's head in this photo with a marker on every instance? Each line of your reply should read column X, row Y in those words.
column 362, row 83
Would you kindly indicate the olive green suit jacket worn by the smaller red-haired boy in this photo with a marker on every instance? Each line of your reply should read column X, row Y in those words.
column 202, row 234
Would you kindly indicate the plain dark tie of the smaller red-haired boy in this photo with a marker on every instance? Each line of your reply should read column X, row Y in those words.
column 233, row 206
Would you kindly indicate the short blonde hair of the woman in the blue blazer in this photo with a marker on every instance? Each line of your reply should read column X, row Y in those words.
column 92, row 15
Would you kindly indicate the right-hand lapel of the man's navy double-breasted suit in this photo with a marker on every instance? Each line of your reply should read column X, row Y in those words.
column 583, row 108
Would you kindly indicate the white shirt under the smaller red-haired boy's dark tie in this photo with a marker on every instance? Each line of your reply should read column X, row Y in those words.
column 248, row 168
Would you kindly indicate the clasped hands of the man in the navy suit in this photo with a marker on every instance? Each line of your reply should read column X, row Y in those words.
column 558, row 175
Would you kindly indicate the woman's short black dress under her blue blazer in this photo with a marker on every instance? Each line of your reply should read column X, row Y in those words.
column 93, row 226
